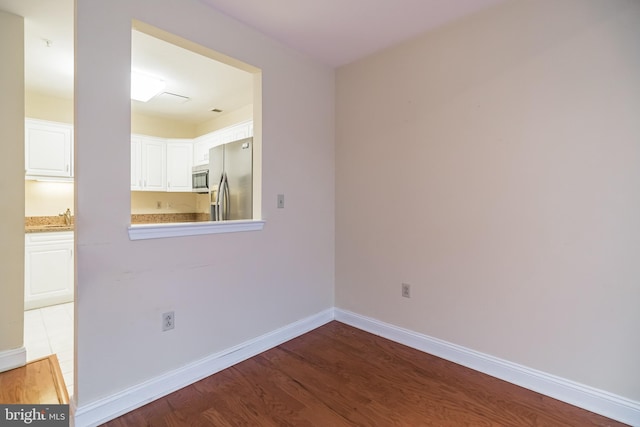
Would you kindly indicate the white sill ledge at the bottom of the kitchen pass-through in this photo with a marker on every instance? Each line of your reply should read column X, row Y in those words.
column 161, row 231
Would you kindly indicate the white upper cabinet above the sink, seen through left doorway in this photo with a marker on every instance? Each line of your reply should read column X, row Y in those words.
column 48, row 149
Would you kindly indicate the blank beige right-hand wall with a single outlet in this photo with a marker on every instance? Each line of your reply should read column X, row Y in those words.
column 493, row 165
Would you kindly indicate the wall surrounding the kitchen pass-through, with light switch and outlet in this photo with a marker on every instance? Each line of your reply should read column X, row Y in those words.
column 261, row 281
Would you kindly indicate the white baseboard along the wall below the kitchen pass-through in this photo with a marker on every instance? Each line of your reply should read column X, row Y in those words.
column 103, row 410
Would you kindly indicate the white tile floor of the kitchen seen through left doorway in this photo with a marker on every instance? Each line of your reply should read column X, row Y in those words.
column 49, row 330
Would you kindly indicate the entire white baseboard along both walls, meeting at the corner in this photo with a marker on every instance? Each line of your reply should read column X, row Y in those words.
column 589, row 398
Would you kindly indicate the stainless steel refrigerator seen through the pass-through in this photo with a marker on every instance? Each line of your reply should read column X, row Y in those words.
column 231, row 180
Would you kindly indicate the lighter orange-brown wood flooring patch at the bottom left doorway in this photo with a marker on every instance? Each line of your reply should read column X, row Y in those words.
column 38, row 382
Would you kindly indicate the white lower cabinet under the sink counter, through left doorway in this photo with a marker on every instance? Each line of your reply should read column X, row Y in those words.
column 48, row 269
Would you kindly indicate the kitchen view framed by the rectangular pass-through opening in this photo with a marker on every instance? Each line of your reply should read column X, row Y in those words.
column 195, row 140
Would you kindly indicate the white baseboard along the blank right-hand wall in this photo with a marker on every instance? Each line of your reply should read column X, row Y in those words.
column 589, row 398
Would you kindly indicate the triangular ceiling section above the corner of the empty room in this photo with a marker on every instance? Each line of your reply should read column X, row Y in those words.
column 337, row 32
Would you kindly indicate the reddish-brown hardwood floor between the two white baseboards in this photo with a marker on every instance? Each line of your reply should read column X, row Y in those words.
column 337, row 375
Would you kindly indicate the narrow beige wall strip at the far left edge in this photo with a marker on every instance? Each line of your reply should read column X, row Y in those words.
column 11, row 182
